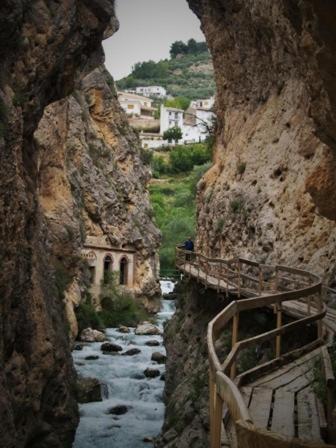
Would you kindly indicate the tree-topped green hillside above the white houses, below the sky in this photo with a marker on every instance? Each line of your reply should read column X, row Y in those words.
column 188, row 73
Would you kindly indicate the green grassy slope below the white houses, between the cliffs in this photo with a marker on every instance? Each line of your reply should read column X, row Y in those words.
column 173, row 196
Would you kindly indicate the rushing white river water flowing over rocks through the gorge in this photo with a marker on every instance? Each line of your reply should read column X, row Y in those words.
column 123, row 384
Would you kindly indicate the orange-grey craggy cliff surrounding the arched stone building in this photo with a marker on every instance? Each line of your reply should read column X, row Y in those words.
column 92, row 183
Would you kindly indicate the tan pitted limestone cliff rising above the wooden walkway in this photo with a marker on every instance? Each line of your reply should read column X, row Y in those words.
column 271, row 193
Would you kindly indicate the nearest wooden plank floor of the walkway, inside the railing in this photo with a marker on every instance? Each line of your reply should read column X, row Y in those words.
column 284, row 401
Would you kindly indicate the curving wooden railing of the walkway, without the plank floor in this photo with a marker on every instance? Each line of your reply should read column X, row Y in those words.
column 261, row 286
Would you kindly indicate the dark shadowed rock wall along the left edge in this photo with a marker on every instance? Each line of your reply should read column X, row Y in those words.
column 45, row 48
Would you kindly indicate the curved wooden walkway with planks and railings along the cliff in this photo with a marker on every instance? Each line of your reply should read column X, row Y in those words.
column 272, row 405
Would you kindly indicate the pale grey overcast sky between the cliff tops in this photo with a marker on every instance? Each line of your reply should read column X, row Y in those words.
column 147, row 29
